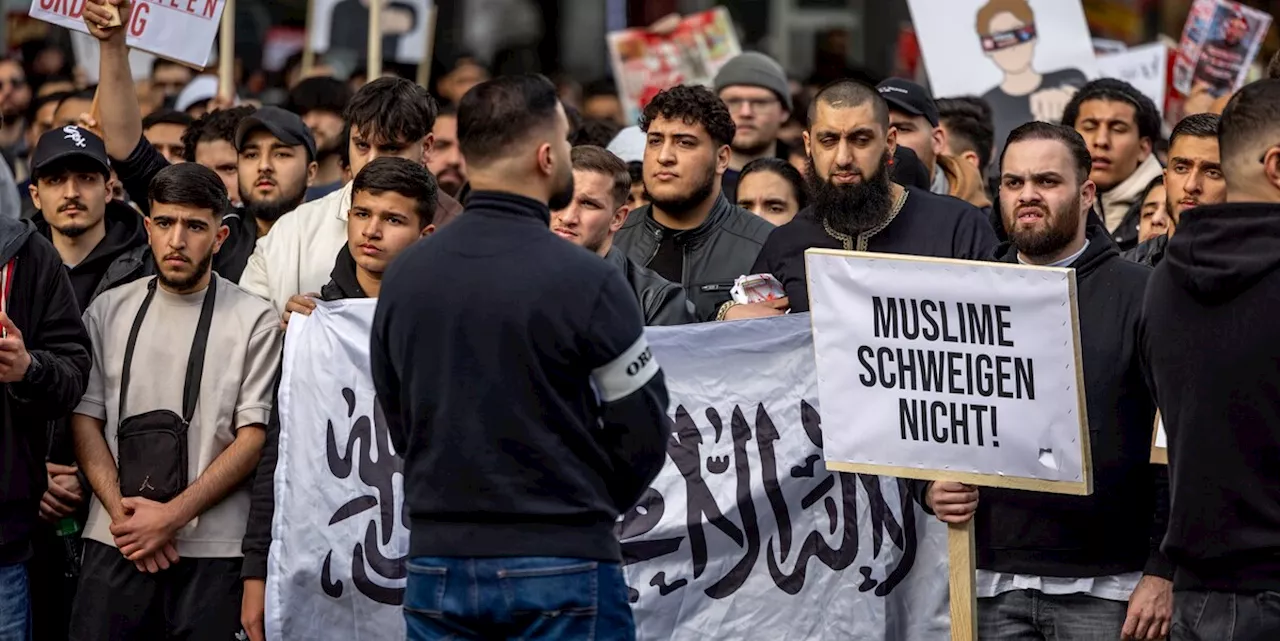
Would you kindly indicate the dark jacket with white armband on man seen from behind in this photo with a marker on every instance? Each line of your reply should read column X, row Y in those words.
column 519, row 386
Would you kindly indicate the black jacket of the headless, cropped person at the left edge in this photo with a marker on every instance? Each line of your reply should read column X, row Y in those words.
column 43, row 308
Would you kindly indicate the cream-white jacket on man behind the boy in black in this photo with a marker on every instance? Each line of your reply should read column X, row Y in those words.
column 298, row 255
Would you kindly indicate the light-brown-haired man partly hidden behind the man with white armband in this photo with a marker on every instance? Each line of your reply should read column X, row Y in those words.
column 600, row 208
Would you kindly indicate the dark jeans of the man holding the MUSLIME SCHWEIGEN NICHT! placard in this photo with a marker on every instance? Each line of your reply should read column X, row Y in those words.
column 1032, row 616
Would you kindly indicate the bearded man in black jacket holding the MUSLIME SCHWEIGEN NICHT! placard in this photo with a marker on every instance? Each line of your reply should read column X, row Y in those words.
column 1058, row 567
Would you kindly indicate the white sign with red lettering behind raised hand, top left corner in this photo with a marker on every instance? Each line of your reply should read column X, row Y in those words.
column 179, row 30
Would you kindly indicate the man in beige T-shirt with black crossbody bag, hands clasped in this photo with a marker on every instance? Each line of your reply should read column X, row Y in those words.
column 163, row 551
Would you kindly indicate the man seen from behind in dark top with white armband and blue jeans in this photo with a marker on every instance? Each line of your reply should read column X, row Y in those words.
column 516, row 381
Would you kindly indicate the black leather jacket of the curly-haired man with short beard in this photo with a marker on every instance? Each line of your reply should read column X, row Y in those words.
column 716, row 253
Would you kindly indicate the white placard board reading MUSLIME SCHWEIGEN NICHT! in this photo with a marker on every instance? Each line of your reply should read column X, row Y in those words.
column 949, row 368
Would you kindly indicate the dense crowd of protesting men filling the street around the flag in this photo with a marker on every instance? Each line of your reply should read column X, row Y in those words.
column 152, row 259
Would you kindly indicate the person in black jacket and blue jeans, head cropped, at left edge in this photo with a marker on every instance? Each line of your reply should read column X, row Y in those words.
column 44, row 370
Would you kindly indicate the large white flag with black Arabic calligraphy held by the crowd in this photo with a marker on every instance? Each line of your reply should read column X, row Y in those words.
column 744, row 535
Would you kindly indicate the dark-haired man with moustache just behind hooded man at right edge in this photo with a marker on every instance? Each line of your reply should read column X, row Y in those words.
column 1194, row 178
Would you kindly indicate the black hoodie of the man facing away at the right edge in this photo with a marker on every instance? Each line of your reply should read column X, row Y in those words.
column 1212, row 342
